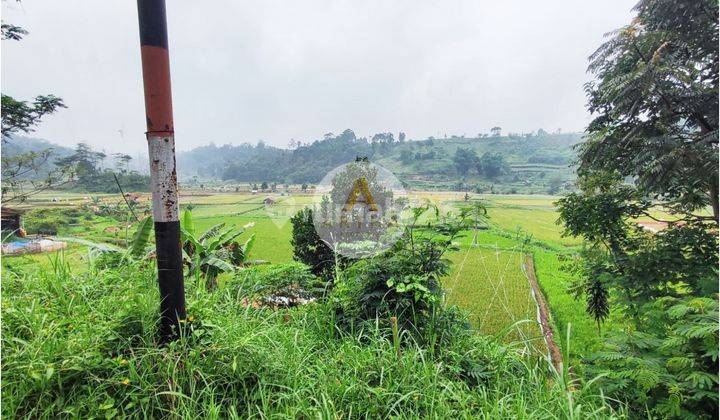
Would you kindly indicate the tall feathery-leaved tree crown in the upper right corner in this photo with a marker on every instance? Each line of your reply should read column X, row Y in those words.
column 655, row 101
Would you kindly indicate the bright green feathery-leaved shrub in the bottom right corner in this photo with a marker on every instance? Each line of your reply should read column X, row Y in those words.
column 670, row 367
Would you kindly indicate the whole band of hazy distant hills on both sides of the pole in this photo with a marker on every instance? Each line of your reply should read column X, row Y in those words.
column 483, row 162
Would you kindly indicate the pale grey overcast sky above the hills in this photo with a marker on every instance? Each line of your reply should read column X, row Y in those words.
column 280, row 70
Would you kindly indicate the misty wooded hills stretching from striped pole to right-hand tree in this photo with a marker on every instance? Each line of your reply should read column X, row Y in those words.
column 531, row 163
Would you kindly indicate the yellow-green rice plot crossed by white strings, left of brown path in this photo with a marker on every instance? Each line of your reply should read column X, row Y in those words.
column 491, row 285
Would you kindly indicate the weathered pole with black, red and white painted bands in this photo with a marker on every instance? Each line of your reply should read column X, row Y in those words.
column 163, row 176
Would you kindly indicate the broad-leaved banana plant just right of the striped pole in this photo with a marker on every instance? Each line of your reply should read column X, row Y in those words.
column 214, row 251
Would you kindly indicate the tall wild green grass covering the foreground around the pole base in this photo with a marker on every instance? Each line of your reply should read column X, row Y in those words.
column 80, row 343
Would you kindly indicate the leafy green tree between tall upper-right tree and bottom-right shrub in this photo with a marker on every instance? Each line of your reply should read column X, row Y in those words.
column 638, row 265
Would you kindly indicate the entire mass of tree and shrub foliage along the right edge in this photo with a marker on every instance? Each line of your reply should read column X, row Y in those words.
column 655, row 103
